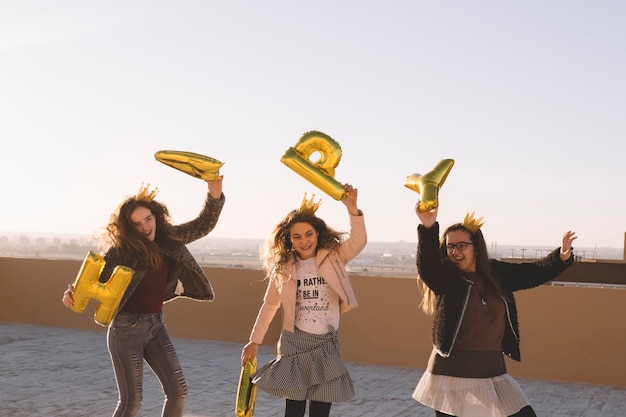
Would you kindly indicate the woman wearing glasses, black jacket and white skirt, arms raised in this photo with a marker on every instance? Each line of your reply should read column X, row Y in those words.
column 475, row 318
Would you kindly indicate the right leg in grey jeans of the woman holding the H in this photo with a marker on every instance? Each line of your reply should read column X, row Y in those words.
column 162, row 358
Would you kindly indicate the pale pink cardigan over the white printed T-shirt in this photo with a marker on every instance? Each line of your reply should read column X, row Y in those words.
column 331, row 265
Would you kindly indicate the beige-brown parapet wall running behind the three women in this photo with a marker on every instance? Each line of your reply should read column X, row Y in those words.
column 569, row 333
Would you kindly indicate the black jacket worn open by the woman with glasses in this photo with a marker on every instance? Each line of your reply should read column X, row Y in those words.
column 452, row 289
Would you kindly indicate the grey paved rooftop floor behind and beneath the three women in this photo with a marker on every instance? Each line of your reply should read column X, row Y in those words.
column 54, row 372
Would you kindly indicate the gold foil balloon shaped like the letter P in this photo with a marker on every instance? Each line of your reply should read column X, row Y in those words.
column 322, row 171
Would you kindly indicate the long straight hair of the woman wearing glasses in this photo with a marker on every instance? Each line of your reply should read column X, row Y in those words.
column 483, row 266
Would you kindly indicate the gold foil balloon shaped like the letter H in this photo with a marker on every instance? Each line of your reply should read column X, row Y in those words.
column 109, row 294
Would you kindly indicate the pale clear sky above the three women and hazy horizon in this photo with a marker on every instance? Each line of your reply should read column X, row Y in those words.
column 528, row 98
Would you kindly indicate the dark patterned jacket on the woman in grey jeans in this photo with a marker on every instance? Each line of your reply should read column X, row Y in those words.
column 186, row 278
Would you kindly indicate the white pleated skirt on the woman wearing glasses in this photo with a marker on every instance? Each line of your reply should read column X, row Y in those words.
column 500, row 396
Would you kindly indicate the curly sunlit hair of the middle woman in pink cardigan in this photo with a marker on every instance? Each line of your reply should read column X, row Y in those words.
column 278, row 249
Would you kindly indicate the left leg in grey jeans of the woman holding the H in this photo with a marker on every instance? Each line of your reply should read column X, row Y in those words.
column 124, row 341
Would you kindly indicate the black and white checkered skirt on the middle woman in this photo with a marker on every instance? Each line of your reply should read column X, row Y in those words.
column 308, row 366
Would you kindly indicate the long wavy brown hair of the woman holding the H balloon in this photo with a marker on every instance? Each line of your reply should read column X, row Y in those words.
column 133, row 248
